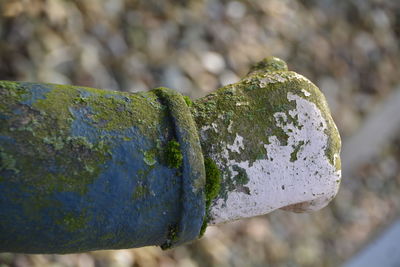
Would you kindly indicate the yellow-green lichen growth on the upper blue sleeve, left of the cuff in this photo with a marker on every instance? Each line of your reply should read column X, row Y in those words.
column 37, row 125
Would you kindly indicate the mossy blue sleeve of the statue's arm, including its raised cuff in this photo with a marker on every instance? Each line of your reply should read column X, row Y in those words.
column 85, row 169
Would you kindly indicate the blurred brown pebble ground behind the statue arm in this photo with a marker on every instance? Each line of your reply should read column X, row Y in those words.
column 350, row 49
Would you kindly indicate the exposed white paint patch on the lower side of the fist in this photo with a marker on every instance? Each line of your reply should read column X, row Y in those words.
column 308, row 183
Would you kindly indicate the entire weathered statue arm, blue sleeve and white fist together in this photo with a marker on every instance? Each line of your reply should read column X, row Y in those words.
column 84, row 169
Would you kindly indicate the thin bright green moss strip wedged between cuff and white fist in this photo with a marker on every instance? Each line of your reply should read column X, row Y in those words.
column 212, row 188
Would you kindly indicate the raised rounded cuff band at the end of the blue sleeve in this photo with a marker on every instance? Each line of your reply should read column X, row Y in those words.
column 192, row 201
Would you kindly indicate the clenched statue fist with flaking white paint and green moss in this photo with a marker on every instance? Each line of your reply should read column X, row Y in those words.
column 273, row 138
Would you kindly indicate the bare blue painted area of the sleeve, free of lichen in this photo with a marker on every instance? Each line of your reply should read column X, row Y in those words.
column 113, row 216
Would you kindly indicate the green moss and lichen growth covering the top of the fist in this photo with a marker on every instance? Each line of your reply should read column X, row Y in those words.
column 247, row 109
